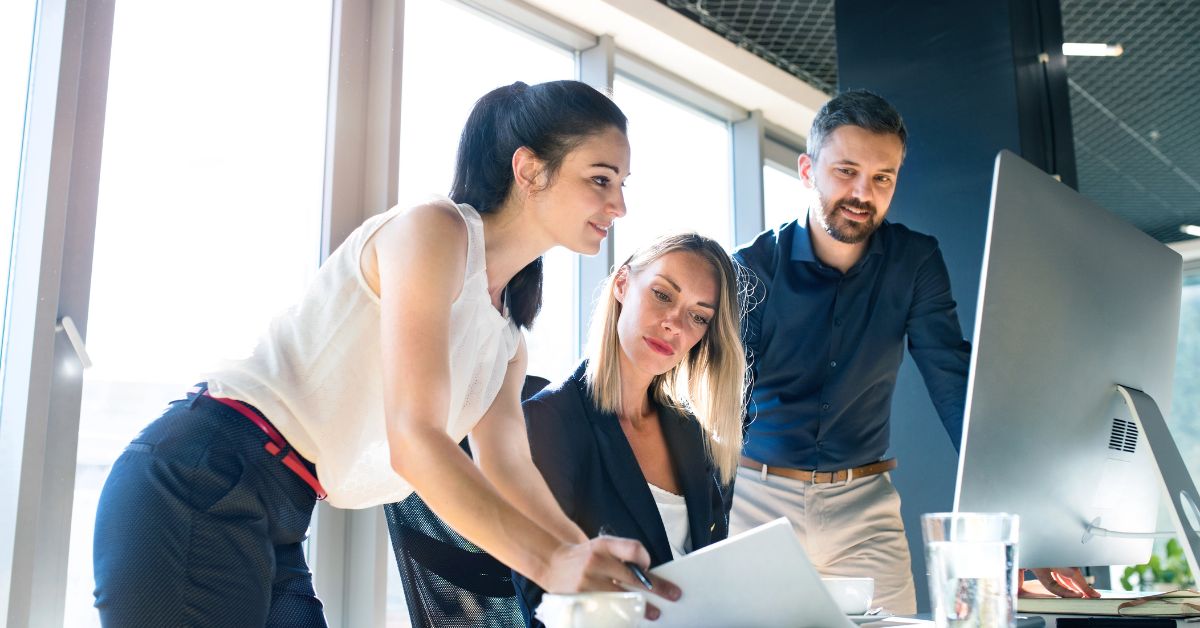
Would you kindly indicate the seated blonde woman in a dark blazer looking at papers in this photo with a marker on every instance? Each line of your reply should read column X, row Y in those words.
column 644, row 440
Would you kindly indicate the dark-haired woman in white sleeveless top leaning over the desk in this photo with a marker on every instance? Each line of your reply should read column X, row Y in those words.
column 407, row 340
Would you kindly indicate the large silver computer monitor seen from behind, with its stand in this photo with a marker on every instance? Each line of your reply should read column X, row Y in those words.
column 1075, row 345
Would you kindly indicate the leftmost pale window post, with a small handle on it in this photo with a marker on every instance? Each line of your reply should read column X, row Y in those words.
column 51, row 282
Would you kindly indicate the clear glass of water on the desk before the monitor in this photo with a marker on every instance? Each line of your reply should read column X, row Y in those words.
column 973, row 569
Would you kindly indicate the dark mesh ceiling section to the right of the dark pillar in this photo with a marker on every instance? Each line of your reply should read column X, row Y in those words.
column 1137, row 117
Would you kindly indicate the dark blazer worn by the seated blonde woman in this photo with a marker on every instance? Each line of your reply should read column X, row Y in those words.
column 592, row 471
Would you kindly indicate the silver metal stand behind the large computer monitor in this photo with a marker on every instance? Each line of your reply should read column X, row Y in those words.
column 1142, row 410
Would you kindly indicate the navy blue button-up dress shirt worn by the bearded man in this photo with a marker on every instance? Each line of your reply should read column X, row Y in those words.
column 825, row 348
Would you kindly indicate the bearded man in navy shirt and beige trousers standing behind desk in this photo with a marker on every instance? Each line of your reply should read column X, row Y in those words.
column 837, row 295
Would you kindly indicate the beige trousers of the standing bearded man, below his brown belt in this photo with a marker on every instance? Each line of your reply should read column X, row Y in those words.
column 849, row 529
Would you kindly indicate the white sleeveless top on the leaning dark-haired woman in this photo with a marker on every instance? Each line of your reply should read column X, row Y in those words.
column 317, row 373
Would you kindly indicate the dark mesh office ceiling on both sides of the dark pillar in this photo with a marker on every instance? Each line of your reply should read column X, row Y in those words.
column 1137, row 118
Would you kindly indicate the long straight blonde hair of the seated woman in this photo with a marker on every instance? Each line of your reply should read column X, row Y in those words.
column 711, row 381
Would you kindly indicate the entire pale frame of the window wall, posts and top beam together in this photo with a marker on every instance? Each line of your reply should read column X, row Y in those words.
column 52, row 264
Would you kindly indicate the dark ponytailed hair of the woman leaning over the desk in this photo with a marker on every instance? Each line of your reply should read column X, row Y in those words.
column 550, row 119
